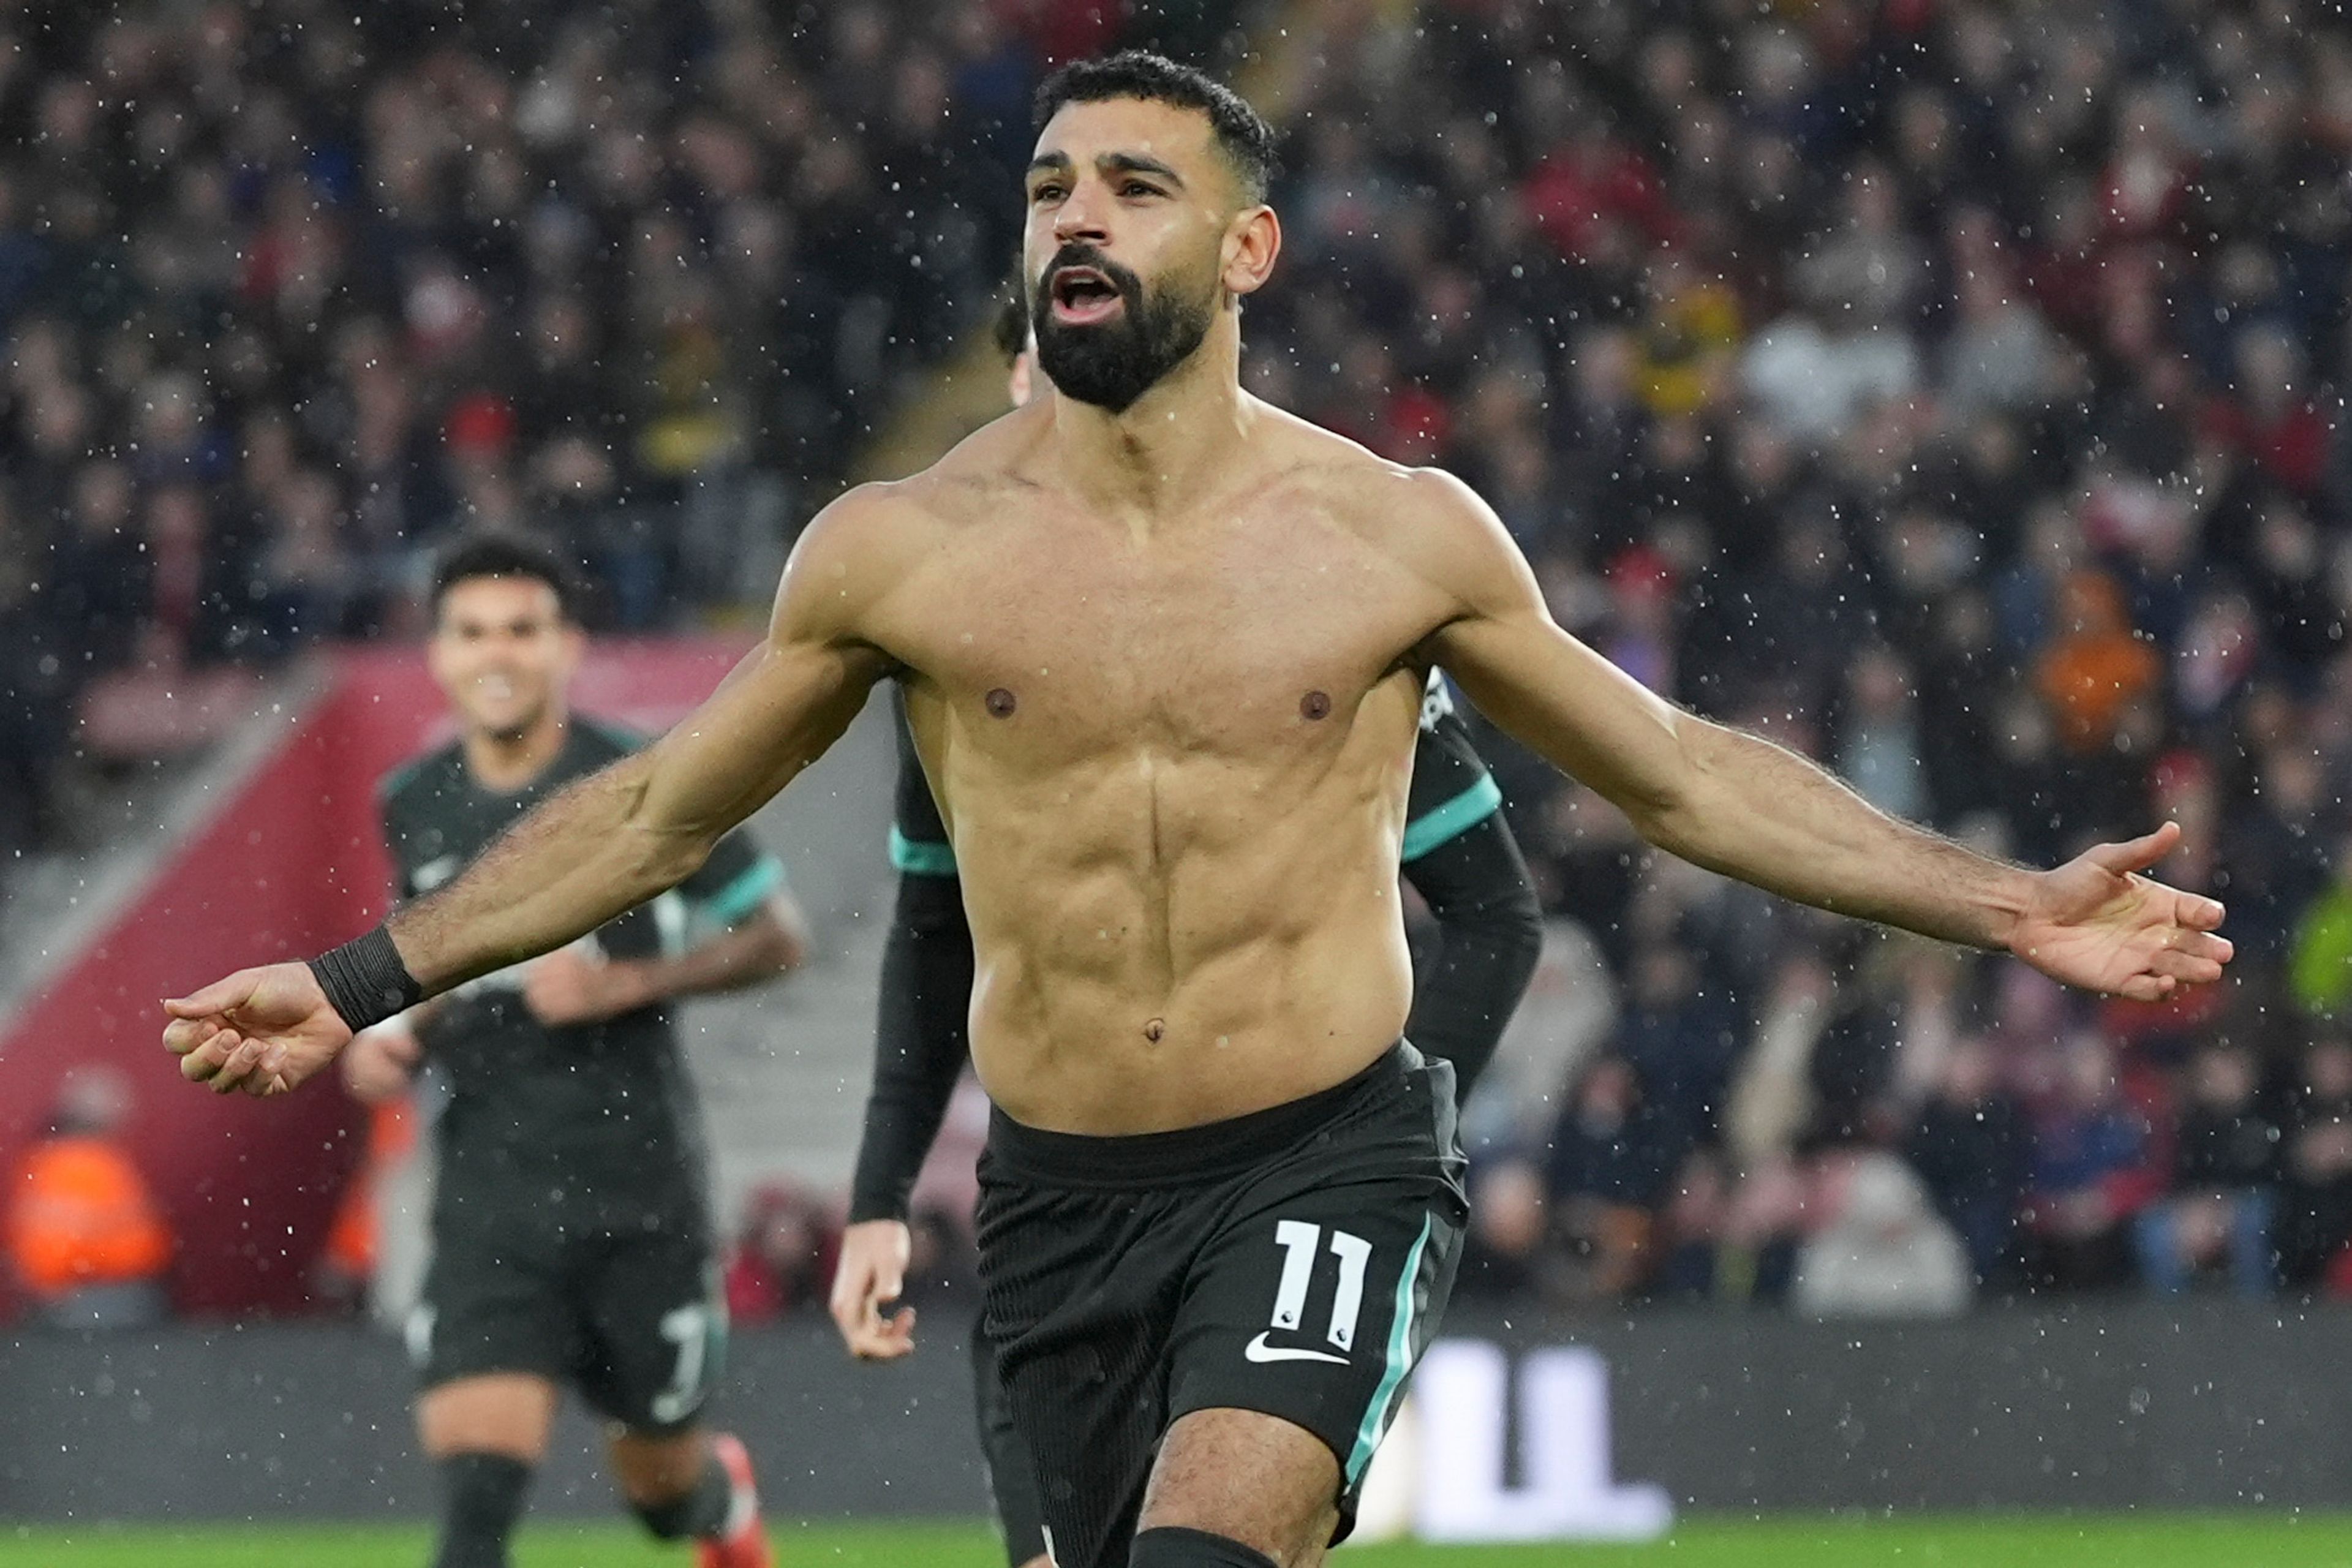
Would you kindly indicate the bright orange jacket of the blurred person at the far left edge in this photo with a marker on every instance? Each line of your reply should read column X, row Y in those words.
column 79, row 1214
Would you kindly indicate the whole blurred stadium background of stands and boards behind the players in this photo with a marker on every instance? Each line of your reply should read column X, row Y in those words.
column 1946, row 389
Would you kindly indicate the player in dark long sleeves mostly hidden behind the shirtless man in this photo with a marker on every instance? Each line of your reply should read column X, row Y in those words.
column 1457, row 855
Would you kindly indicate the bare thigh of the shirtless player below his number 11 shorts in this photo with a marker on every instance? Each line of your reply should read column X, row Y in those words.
column 1248, row 1477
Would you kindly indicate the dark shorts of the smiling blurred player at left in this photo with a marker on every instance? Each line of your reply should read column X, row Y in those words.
column 636, row 1322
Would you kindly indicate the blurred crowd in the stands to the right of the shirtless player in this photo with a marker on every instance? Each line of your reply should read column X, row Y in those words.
column 1951, row 391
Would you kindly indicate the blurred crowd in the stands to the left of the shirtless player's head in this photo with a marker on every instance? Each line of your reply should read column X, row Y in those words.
column 293, row 293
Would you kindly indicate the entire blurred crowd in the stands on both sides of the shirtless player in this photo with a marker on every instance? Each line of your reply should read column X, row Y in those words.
column 1949, row 389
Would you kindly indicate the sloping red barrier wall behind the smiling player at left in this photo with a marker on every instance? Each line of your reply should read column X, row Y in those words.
column 281, row 869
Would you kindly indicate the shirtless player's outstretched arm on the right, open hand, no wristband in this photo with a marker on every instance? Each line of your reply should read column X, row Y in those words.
column 1758, row 812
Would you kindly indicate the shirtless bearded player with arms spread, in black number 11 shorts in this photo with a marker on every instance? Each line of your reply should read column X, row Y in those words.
column 1163, row 650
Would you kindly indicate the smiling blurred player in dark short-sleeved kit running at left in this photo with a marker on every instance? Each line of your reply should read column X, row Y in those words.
column 570, row 1228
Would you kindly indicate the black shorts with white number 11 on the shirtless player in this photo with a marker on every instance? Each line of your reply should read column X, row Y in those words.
column 1292, row 1261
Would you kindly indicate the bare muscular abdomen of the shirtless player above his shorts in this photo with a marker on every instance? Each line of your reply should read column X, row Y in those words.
column 1168, row 942
